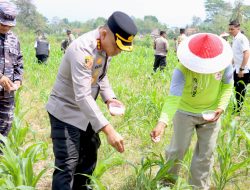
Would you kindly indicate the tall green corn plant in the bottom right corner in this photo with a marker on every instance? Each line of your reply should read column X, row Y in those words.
column 230, row 167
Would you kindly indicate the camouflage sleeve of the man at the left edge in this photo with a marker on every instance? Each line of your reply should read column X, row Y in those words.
column 18, row 67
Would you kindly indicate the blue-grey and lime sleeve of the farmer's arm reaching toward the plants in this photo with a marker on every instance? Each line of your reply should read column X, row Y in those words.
column 172, row 101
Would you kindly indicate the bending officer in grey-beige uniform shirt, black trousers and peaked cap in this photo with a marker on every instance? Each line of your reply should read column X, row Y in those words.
column 74, row 115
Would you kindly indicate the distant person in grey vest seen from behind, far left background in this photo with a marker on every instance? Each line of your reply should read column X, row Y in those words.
column 42, row 48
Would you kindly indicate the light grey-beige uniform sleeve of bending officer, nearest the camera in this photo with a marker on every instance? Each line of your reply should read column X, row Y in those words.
column 81, row 78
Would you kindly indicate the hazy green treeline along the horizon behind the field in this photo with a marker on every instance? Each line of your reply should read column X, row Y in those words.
column 218, row 15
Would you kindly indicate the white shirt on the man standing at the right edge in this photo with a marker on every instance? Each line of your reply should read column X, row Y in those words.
column 240, row 44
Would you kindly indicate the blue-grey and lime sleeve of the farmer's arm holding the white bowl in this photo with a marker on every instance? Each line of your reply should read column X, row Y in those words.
column 226, row 88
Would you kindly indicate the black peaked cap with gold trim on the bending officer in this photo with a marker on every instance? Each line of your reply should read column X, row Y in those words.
column 124, row 29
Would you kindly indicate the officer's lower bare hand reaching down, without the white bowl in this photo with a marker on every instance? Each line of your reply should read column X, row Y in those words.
column 113, row 138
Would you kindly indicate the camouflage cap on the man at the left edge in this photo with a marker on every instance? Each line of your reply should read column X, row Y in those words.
column 8, row 13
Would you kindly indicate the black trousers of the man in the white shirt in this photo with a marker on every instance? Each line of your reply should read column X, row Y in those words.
column 240, row 85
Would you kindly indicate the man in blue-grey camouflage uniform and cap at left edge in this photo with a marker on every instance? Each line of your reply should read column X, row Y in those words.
column 11, row 65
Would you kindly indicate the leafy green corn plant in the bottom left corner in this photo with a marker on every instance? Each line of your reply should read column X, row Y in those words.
column 19, row 168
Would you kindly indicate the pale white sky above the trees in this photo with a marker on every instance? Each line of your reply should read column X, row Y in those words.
column 174, row 13
